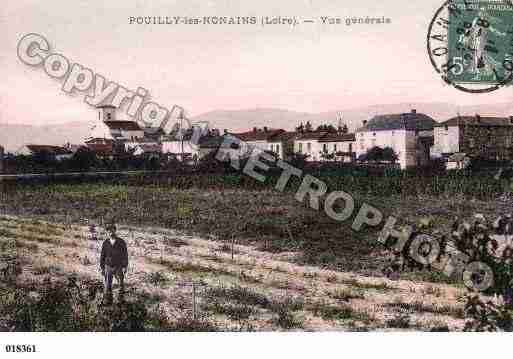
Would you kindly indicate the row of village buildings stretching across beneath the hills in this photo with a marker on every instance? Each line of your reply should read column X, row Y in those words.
column 405, row 140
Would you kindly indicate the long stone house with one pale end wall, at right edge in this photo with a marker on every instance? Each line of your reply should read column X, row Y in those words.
column 477, row 136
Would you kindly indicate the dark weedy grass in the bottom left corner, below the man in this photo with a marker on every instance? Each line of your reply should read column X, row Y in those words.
column 59, row 306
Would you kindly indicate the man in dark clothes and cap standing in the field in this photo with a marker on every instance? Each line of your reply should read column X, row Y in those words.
column 113, row 263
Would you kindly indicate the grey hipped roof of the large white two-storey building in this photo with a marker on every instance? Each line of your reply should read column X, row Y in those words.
column 401, row 121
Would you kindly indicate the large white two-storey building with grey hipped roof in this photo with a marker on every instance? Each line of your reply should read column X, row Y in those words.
column 410, row 135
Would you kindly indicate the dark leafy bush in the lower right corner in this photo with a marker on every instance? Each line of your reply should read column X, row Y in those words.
column 476, row 241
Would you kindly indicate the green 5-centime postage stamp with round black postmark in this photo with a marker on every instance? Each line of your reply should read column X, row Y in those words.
column 470, row 44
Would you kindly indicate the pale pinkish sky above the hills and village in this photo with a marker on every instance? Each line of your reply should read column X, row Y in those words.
column 311, row 67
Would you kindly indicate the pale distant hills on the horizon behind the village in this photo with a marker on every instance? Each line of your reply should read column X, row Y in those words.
column 14, row 136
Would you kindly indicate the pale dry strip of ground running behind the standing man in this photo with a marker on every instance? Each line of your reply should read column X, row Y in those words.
column 164, row 264
